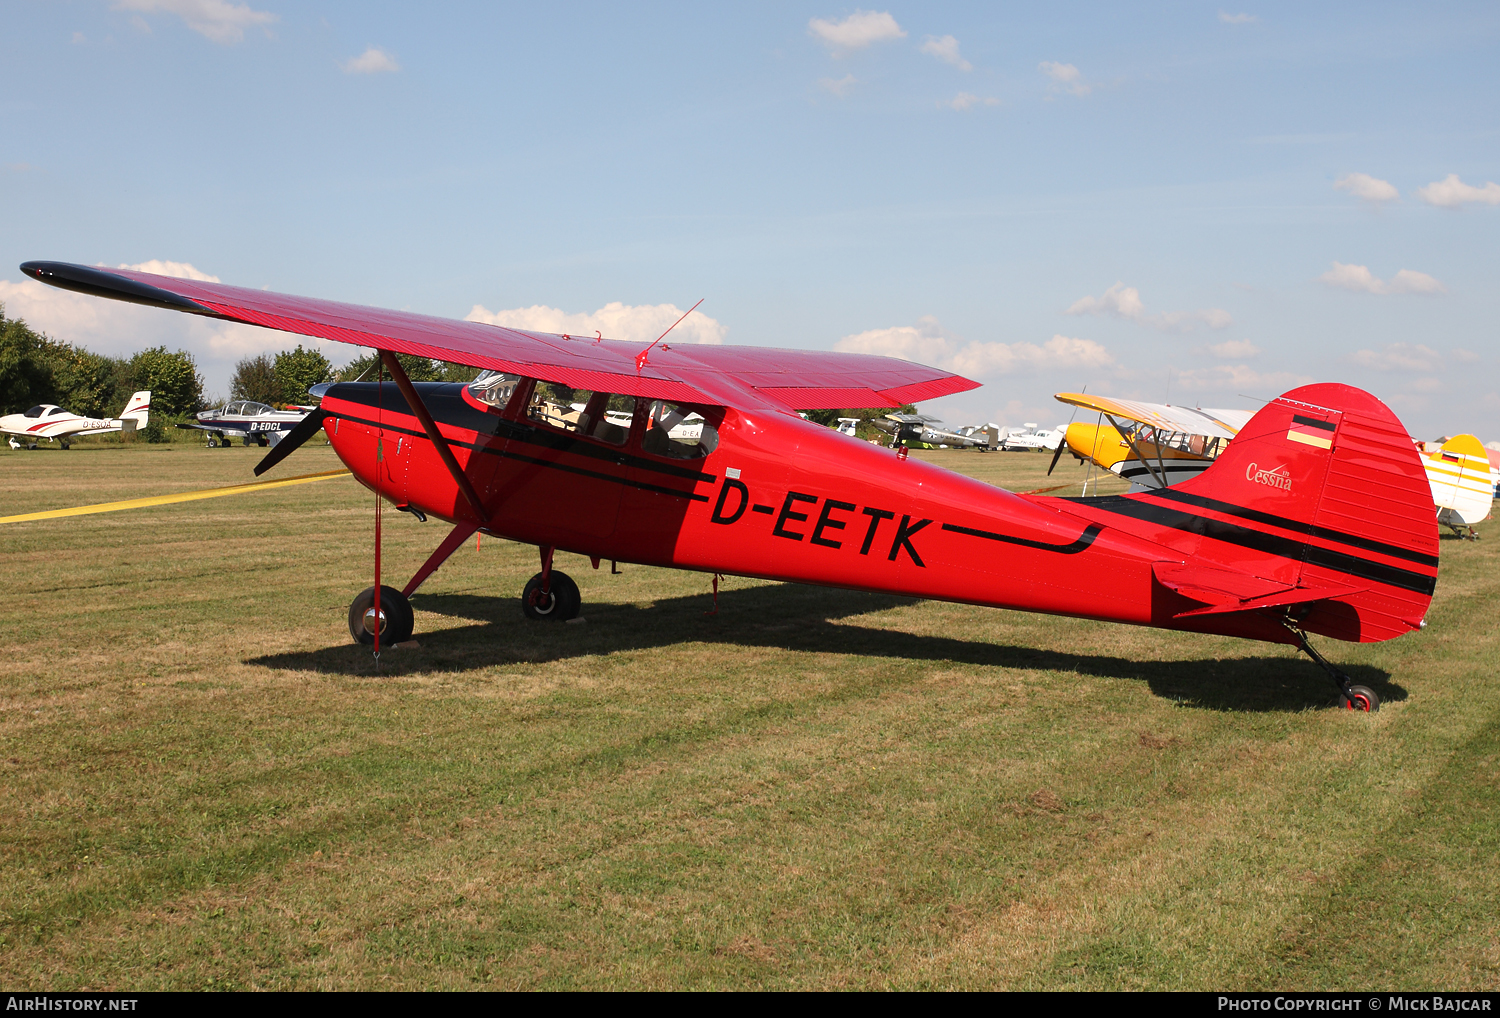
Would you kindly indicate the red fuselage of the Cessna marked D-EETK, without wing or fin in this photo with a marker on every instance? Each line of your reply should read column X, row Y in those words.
column 787, row 500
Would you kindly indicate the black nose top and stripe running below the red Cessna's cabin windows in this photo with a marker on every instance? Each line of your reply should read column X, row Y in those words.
column 446, row 403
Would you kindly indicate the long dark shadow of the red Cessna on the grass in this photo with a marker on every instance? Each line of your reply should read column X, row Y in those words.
column 805, row 618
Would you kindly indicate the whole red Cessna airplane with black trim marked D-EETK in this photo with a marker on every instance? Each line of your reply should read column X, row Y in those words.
column 1316, row 519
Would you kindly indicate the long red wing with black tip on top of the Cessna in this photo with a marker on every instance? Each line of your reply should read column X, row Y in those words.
column 728, row 376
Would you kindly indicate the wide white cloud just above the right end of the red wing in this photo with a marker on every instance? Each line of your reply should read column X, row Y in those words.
column 928, row 343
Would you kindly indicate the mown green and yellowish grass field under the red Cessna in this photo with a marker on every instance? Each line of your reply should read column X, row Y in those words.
column 205, row 785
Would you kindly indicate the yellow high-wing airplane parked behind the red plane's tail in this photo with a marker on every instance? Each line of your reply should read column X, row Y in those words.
column 1150, row 445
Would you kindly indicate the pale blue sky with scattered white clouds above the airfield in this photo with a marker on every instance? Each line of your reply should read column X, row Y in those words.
column 1184, row 202
